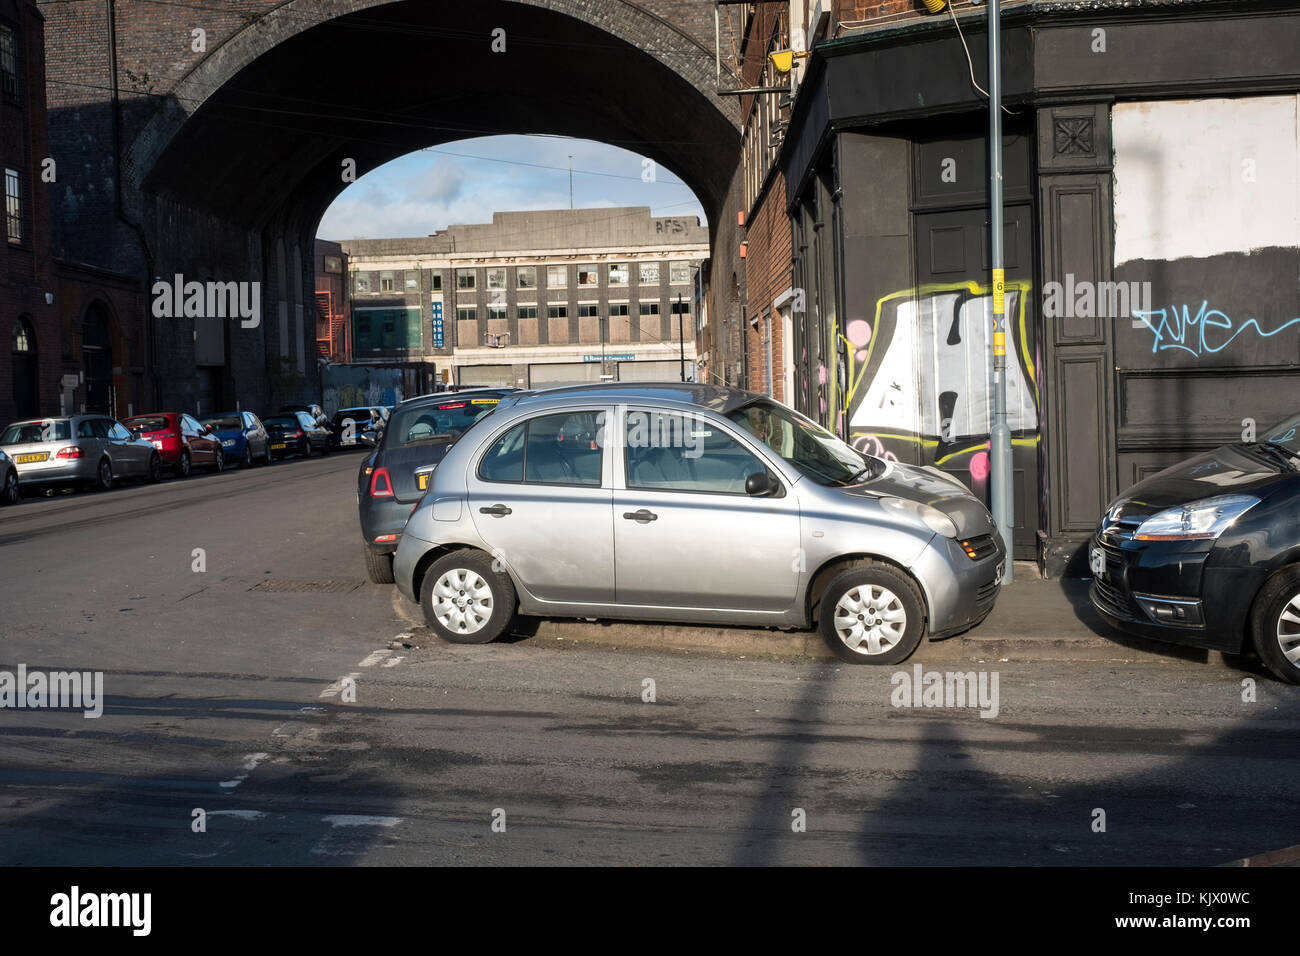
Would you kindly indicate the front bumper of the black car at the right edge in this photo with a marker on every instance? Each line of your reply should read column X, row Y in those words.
column 1172, row 591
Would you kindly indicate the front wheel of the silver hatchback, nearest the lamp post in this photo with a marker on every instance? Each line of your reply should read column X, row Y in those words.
column 872, row 615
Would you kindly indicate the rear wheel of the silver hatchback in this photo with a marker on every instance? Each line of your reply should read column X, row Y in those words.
column 465, row 600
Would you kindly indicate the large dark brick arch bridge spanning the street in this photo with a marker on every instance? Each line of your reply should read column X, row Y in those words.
column 229, row 158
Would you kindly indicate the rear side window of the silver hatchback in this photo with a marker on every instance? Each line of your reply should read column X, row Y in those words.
column 562, row 449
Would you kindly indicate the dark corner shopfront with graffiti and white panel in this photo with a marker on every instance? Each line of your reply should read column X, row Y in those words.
column 890, row 213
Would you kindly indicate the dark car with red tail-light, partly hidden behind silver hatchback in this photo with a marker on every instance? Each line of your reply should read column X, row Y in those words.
column 393, row 479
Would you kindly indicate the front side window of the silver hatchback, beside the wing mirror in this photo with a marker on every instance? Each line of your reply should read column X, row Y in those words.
column 670, row 452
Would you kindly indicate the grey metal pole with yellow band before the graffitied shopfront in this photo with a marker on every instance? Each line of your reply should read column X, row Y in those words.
column 1000, row 440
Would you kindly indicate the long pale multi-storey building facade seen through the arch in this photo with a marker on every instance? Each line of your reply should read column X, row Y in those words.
column 536, row 300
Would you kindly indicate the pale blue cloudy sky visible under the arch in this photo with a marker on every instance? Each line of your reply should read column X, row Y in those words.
column 470, row 180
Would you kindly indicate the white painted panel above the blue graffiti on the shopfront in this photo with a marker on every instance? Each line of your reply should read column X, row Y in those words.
column 1197, row 179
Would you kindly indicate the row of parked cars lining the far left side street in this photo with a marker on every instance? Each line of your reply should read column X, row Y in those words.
column 96, row 451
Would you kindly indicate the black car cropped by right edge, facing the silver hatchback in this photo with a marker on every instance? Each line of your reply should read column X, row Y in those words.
column 1208, row 553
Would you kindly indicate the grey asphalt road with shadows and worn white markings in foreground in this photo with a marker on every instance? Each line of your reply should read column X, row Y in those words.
column 224, row 694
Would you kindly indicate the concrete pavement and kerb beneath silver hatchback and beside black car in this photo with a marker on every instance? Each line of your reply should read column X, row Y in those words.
column 1034, row 620
